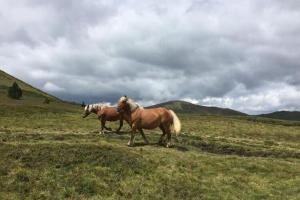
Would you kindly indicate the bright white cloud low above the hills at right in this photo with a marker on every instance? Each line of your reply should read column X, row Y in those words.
column 276, row 97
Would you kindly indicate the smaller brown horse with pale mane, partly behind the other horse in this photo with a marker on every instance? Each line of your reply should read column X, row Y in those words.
column 104, row 113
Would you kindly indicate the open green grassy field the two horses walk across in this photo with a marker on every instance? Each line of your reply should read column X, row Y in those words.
column 50, row 152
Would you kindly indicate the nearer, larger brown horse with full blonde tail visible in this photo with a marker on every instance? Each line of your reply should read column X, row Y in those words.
column 140, row 118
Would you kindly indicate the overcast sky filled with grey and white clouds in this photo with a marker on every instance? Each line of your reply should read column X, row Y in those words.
column 238, row 54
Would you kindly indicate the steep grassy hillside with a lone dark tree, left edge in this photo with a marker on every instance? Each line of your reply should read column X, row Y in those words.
column 32, row 97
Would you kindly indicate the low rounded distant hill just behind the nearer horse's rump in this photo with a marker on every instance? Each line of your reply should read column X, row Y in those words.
column 186, row 107
